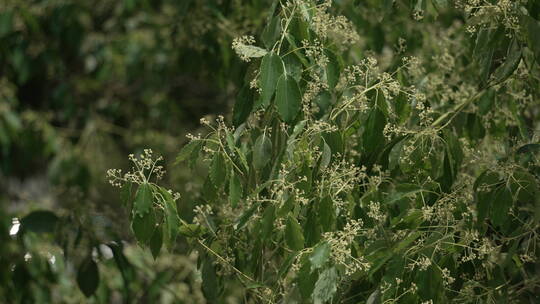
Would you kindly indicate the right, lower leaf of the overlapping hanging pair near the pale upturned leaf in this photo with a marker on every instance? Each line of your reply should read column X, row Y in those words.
column 288, row 98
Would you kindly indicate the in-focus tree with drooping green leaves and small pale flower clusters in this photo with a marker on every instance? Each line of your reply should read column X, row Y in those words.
column 345, row 178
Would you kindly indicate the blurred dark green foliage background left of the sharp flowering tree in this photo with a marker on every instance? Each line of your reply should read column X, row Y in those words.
column 83, row 84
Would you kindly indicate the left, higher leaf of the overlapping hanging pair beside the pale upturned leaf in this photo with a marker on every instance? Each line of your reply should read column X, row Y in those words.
column 271, row 69
